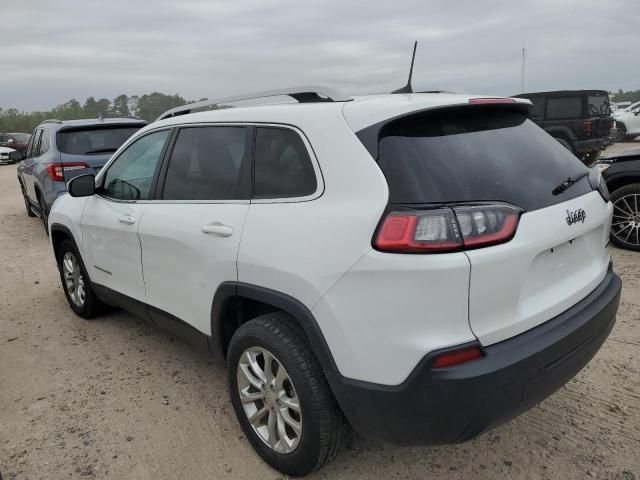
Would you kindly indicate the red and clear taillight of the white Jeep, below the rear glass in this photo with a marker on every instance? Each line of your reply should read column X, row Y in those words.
column 446, row 229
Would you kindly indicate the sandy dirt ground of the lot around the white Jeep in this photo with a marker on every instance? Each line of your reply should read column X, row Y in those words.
column 114, row 398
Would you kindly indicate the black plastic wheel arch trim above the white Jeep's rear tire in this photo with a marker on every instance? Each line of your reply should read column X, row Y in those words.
column 235, row 303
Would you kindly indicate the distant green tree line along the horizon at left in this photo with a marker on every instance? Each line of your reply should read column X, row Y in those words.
column 148, row 106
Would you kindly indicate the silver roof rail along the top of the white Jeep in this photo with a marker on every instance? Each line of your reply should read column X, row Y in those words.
column 306, row 94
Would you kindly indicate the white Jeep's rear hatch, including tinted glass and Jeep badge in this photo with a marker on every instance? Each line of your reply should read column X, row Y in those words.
column 493, row 154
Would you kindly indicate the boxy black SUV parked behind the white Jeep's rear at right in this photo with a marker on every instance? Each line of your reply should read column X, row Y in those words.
column 579, row 119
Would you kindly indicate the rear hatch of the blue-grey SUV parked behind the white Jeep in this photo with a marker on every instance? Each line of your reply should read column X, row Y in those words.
column 86, row 149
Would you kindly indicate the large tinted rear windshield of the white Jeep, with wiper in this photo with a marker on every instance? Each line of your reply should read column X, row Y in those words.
column 471, row 155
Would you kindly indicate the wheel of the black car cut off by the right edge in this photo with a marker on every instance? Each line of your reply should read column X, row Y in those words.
column 625, row 210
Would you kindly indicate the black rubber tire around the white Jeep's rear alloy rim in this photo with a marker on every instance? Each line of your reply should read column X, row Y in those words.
column 323, row 425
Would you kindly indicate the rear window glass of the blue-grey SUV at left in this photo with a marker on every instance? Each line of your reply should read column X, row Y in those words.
column 93, row 141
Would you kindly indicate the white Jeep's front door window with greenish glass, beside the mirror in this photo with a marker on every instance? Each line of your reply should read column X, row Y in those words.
column 130, row 176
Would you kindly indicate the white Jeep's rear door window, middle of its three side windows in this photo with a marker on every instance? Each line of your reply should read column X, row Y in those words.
column 206, row 164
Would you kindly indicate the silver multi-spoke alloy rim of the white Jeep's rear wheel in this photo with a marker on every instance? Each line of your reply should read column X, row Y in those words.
column 269, row 400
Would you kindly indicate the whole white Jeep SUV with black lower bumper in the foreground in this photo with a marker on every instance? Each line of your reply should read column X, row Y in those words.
column 421, row 266
